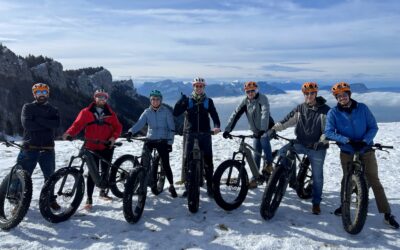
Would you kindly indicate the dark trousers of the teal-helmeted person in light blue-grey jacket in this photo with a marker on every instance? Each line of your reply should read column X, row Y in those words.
column 162, row 150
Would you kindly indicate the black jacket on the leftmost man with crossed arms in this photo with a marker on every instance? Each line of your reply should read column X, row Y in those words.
column 39, row 122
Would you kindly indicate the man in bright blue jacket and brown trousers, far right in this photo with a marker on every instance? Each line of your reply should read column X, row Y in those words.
column 354, row 127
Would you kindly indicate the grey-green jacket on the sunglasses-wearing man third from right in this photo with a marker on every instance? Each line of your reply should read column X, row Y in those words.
column 257, row 112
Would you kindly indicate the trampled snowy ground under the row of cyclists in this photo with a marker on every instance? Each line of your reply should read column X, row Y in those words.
column 167, row 223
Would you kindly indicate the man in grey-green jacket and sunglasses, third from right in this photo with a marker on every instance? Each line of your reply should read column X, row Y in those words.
column 256, row 107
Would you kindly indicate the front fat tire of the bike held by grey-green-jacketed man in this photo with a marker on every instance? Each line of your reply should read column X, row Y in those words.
column 244, row 181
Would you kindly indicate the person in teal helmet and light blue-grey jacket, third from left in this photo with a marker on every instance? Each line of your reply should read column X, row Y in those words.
column 160, row 134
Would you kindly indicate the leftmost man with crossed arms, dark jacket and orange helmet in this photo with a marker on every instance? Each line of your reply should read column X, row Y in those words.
column 39, row 120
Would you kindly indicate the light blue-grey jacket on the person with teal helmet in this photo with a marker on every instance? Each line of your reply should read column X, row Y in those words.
column 160, row 124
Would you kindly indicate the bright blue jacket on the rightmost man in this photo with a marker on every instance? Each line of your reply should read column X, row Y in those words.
column 358, row 125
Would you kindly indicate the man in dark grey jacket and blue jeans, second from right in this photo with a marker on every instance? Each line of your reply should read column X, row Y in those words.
column 309, row 119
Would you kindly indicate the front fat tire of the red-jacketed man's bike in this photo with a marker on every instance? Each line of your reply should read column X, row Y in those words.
column 48, row 192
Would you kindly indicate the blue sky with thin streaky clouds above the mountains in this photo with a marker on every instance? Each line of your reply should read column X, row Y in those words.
column 277, row 40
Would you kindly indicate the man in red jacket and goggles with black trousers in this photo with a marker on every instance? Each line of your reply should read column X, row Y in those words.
column 101, row 125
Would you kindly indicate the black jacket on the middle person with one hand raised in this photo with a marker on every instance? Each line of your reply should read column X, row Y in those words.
column 197, row 116
